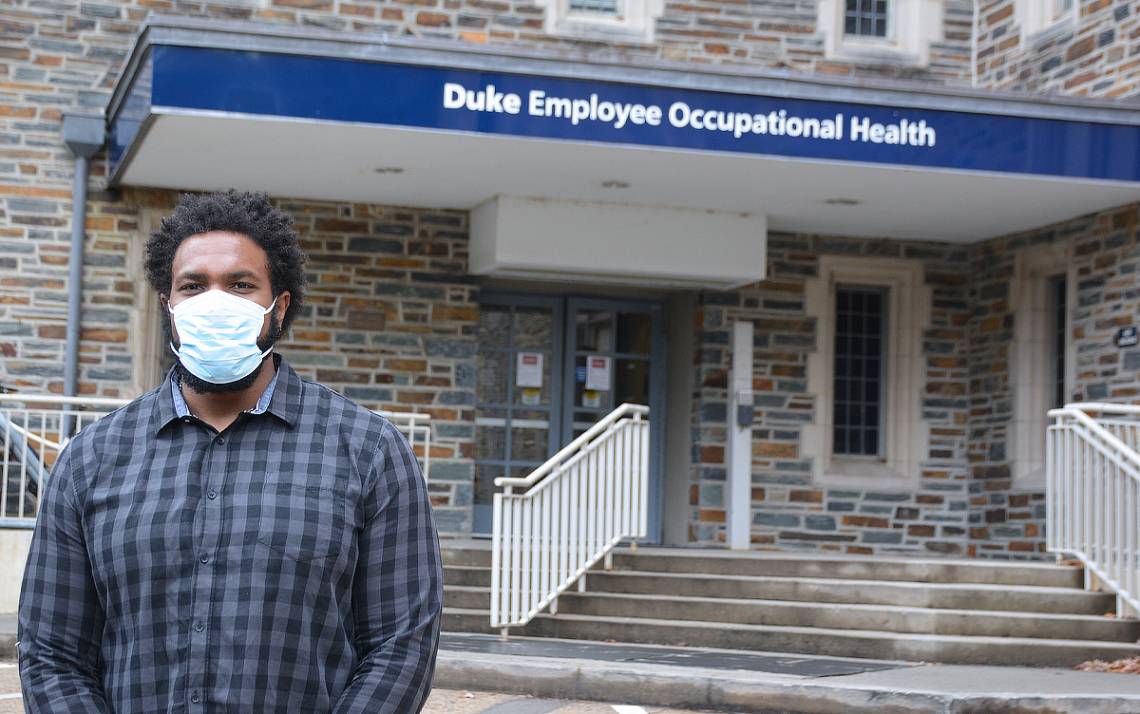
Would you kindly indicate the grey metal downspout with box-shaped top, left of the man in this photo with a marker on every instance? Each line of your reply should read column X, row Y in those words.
column 84, row 135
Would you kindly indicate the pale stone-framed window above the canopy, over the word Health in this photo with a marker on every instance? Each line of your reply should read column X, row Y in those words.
column 881, row 31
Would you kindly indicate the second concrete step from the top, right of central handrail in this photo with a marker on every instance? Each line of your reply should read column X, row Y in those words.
column 941, row 596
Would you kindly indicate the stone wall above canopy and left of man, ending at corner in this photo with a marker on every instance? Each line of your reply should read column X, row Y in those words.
column 68, row 55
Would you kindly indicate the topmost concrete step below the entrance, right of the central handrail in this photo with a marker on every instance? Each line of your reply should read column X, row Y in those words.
column 848, row 567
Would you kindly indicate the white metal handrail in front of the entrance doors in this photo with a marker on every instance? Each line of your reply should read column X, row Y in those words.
column 577, row 508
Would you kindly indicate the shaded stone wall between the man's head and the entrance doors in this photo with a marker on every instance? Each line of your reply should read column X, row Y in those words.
column 392, row 322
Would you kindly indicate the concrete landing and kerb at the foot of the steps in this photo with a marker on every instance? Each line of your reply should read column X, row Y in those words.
column 704, row 679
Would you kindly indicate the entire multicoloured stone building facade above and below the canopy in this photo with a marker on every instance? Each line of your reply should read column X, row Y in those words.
column 393, row 312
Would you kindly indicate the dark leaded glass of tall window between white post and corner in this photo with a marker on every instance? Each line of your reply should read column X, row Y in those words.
column 860, row 323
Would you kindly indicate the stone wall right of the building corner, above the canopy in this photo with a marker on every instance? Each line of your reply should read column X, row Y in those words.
column 1100, row 56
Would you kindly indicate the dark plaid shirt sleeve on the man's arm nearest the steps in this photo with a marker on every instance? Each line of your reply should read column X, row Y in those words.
column 398, row 590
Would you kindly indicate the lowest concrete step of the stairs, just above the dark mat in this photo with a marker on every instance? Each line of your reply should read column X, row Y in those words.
column 827, row 631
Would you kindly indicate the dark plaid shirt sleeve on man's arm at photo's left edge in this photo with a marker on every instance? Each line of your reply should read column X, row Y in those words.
column 61, row 616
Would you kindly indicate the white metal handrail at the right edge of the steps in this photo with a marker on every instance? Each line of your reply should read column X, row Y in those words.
column 1093, row 492
